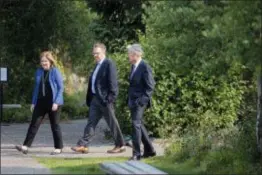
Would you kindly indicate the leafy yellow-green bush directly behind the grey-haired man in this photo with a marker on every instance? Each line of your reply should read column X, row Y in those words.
column 183, row 101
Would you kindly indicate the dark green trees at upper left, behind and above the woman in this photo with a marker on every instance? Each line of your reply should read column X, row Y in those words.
column 33, row 26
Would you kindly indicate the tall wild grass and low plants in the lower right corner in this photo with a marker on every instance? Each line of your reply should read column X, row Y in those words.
column 227, row 151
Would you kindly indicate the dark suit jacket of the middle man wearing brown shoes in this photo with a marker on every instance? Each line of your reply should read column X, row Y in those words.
column 106, row 85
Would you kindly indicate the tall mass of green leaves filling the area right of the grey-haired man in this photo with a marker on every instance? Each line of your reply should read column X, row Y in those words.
column 199, row 55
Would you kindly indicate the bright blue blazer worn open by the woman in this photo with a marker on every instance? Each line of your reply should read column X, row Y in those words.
column 56, row 82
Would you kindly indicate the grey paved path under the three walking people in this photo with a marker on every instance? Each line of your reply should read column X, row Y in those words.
column 14, row 162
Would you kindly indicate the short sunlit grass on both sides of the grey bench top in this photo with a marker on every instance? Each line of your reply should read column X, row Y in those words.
column 91, row 165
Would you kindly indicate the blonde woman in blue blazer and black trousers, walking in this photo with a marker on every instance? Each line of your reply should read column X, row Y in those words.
column 47, row 99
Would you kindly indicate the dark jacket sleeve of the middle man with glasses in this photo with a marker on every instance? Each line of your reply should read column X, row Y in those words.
column 112, row 82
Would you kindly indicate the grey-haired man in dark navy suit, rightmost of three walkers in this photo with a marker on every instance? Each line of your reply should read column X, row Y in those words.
column 139, row 98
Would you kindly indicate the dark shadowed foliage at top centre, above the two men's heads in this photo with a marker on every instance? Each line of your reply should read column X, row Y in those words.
column 119, row 21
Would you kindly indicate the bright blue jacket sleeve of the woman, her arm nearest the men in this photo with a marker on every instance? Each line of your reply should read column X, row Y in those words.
column 60, row 87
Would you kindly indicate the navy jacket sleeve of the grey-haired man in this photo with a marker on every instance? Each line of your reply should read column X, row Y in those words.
column 149, row 85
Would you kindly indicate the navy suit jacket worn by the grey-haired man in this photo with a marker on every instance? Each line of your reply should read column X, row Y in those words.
column 141, row 86
